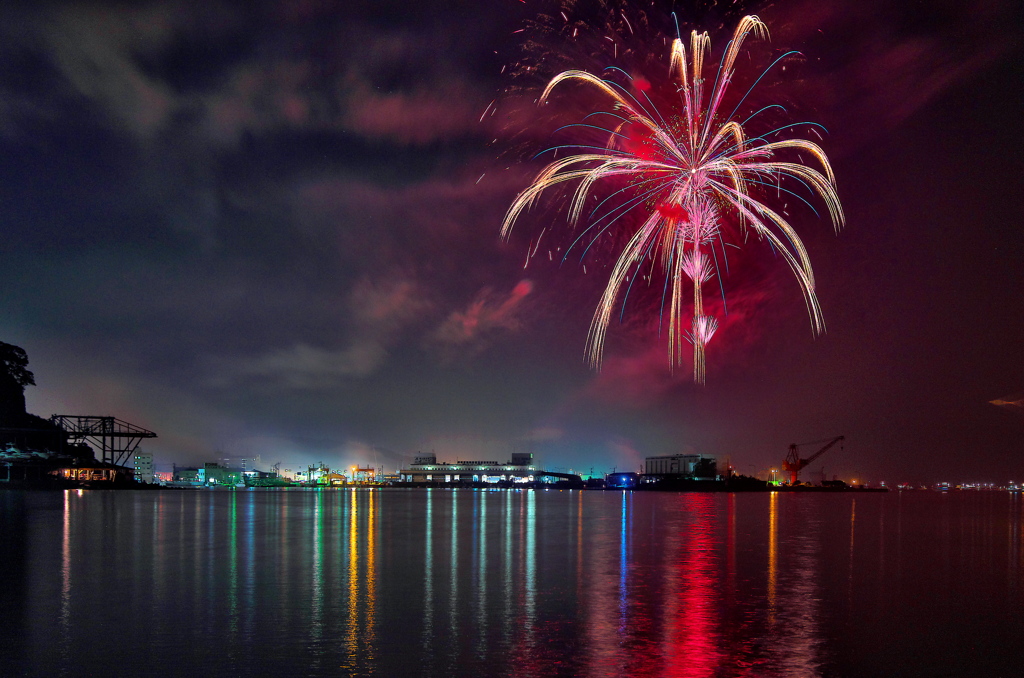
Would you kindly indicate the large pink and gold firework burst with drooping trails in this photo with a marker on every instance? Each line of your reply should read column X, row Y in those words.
column 686, row 177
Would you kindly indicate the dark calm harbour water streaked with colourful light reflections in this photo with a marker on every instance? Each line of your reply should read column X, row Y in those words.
column 506, row 583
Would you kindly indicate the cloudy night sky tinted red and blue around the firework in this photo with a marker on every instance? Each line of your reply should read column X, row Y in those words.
column 275, row 232
